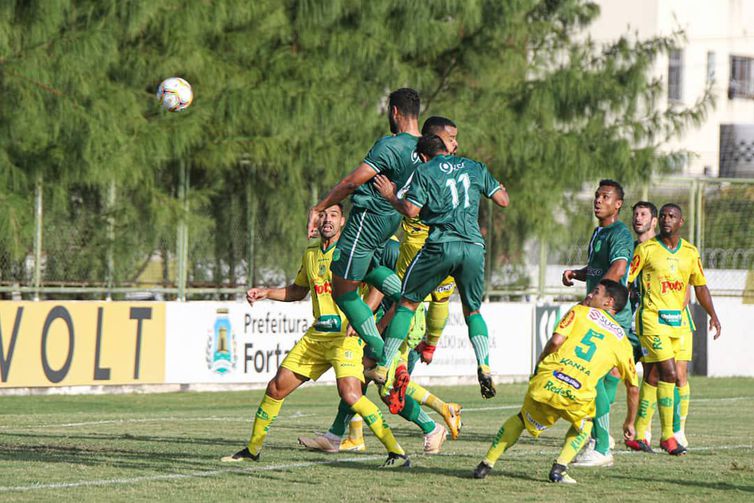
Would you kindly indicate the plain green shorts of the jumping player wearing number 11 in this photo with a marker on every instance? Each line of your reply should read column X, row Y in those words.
column 437, row 261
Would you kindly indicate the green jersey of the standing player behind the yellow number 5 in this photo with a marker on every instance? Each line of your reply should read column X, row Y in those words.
column 607, row 245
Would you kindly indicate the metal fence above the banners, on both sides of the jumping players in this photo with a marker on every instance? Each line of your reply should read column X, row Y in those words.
column 97, row 244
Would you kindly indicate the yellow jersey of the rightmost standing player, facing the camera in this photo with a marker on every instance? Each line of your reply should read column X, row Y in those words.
column 664, row 275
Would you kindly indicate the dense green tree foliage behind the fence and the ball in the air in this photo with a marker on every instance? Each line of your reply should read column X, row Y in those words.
column 296, row 89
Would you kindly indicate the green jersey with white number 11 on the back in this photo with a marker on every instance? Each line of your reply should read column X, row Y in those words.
column 448, row 190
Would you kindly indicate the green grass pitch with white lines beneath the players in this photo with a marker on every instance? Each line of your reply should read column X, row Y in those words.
column 167, row 447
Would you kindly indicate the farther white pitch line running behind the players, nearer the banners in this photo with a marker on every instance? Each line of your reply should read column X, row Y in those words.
column 281, row 419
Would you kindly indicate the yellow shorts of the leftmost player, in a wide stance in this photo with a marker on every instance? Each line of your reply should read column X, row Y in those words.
column 313, row 356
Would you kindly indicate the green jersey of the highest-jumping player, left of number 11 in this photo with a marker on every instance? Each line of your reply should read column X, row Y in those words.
column 394, row 157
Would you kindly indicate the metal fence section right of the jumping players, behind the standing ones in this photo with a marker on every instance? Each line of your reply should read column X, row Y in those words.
column 719, row 220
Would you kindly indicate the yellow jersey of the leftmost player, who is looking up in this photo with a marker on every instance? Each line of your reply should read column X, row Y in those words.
column 315, row 275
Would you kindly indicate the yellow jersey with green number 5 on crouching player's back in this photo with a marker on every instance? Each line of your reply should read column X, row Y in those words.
column 595, row 343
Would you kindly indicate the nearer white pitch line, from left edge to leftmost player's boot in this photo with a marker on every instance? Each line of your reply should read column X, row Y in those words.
column 178, row 476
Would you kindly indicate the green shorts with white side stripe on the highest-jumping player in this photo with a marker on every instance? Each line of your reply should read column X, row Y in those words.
column 361, row 242
